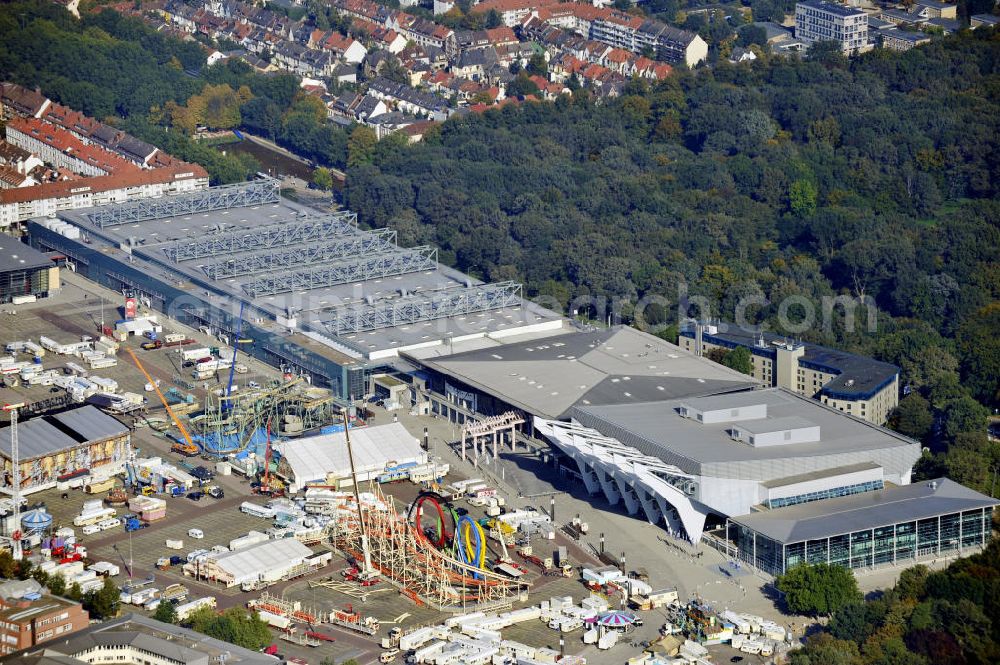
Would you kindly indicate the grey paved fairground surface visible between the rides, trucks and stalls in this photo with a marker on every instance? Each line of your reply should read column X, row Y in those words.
column 524, row 478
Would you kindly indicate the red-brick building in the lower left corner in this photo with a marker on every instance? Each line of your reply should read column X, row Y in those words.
column 29, row 615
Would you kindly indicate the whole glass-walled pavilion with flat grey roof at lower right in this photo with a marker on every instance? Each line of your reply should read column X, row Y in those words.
column 882, row 527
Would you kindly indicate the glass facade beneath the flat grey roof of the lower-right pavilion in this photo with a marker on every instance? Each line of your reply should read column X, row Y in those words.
column 902, row 542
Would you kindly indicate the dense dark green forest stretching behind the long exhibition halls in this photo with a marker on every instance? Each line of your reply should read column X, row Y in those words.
column 874, row 176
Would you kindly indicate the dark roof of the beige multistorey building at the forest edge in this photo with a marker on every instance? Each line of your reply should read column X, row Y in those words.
column 857, row 376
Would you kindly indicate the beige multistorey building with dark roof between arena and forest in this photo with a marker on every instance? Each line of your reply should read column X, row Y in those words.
column 844, row 381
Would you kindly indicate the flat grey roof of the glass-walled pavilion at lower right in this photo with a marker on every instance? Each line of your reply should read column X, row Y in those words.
column 869, row 510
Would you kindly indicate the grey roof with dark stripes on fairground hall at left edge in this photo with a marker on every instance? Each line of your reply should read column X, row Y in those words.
column 48, row 434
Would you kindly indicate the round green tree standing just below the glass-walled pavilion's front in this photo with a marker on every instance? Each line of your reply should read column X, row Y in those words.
column 819, row 589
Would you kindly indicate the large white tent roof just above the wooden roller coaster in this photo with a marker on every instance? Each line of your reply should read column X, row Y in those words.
column 324, row 459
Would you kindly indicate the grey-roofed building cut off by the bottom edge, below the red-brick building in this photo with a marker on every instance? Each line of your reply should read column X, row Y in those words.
column 134, row 639
